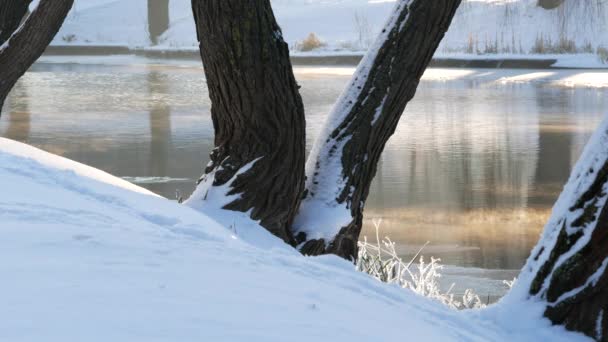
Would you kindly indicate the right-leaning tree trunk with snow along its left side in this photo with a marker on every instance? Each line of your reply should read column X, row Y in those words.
column 343, row 161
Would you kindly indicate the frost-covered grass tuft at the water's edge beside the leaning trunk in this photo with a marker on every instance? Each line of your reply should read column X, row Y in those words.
column 381, row 261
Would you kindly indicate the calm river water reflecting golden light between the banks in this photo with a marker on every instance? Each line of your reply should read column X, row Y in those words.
column 474, row 167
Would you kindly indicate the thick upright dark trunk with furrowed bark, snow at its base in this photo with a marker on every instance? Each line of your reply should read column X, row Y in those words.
column 257, row 165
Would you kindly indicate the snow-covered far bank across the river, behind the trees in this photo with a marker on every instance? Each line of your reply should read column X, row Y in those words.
column 487, row 28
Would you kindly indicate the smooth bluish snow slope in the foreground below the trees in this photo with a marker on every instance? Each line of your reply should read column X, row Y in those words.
column 85, row 256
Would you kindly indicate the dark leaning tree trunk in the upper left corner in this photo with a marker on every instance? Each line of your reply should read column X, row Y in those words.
column 29, row 42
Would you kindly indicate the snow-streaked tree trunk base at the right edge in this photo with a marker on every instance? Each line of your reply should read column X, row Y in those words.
column 568, row 267
